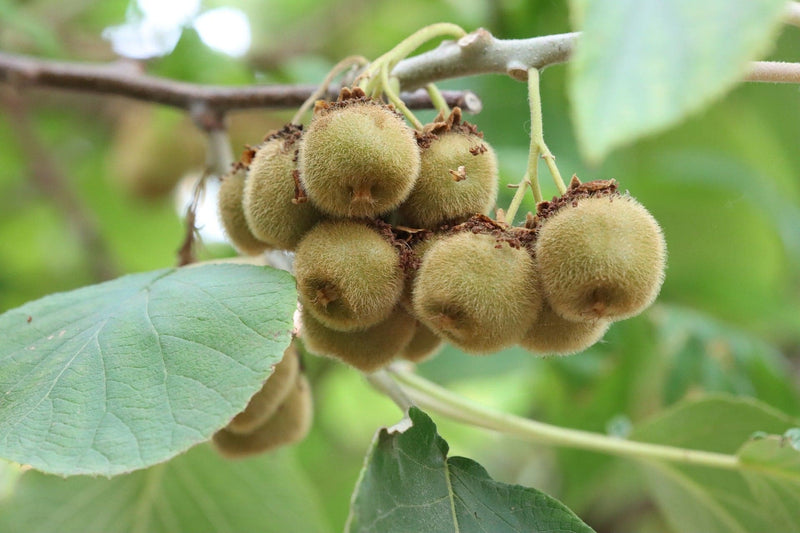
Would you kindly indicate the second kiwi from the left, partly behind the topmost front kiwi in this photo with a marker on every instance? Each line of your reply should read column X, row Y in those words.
column 268, row 194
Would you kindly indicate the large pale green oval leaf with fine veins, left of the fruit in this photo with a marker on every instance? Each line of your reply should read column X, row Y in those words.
column 126, row 374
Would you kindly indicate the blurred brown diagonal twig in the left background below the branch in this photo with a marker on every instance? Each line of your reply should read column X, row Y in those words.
column 52, row 182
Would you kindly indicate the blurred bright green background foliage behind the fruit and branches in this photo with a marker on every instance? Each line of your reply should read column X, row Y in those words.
column 724, row 184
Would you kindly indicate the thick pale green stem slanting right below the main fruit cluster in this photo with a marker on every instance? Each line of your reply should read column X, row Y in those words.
column 430, row 396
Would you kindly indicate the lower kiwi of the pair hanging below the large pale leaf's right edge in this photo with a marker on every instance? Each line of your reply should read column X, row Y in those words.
column 288, row 425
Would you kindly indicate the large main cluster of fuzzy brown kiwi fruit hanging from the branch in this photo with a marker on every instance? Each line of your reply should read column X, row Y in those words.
column 395, row 253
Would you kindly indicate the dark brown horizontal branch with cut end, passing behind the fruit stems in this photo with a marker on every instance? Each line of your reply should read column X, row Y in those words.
column 122, row 79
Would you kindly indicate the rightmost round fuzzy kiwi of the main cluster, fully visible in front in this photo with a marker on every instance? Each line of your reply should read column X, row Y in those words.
column 602, row 258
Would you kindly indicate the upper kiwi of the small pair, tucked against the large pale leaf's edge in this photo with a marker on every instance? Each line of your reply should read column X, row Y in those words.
column 274, row 391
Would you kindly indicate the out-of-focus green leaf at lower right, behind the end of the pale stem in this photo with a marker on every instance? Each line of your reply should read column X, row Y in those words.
column 762, row 495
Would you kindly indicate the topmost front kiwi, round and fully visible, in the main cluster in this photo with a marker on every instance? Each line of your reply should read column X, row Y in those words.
column 358, row 161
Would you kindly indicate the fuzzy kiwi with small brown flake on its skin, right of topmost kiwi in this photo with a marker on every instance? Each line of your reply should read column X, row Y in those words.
column 437, row 197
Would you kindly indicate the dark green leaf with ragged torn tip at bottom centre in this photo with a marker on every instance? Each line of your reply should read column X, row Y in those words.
column 409, row 484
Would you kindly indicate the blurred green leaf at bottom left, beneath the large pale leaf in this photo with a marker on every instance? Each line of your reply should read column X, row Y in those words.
column 198, row 491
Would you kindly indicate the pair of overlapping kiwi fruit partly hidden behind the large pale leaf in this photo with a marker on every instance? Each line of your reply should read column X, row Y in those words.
column 279, row 414
